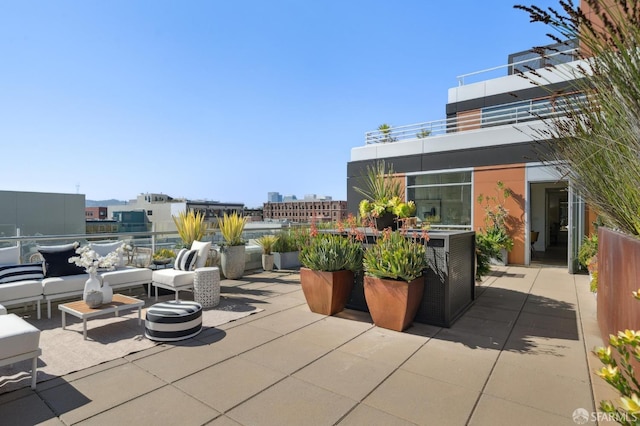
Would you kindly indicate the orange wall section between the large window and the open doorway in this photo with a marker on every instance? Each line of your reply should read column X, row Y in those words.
column 513, row 177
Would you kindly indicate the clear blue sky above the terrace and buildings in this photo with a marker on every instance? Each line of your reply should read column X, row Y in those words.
column 227, row 100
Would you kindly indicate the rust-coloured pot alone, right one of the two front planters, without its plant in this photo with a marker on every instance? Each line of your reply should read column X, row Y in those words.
column 393, row 304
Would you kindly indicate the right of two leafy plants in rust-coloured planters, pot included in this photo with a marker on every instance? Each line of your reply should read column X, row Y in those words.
column 394, row 280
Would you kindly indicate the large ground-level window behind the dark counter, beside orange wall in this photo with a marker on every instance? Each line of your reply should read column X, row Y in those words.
column 443, row 199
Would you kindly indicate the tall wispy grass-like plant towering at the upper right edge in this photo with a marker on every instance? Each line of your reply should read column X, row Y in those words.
column 595, row 141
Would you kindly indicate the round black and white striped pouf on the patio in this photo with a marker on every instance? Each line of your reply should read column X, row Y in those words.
column 173, row 320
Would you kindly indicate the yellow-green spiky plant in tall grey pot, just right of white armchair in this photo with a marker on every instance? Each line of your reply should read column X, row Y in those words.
column 232, row 258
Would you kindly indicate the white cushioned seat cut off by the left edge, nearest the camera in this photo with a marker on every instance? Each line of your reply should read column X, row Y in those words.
column 19, row 340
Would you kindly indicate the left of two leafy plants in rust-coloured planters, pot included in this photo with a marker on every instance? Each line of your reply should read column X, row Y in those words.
column 329, row 262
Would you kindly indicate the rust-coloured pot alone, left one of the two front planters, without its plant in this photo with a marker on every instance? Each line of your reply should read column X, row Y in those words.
column 326, row 292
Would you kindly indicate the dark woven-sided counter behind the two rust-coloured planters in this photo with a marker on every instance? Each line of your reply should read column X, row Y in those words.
column 449, row 286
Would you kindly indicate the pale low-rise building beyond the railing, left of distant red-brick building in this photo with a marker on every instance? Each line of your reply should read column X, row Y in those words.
column 159, row 210
